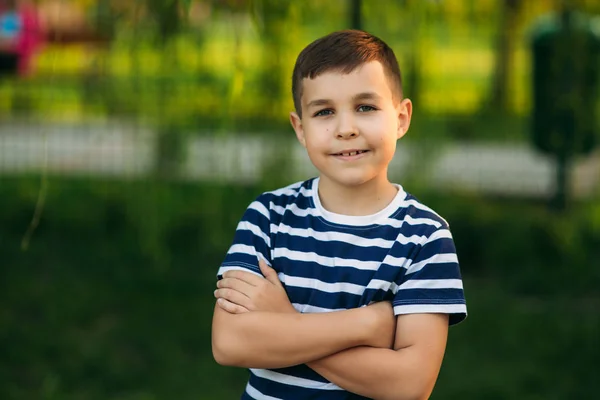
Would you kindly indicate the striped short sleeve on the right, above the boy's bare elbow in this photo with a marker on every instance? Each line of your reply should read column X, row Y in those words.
column 432, row 282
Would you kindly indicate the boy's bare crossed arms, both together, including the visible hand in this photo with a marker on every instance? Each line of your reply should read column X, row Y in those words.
column 366, row 351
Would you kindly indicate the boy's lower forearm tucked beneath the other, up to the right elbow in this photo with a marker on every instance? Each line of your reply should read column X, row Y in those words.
column 378, row 373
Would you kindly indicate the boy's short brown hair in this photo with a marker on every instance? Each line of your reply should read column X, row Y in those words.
column 344, row 51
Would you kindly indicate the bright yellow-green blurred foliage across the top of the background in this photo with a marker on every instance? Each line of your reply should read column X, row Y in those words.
column 234, row 62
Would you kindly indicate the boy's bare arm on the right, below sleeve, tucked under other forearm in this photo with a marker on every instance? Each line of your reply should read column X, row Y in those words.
column 408, row 371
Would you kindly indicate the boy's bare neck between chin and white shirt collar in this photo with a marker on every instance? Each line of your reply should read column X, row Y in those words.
column 365, row 199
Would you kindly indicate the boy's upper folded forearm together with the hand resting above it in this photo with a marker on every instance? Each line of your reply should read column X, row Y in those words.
column 274, row 335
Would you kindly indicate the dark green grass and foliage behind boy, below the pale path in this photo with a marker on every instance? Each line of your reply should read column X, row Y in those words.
column 113, row 299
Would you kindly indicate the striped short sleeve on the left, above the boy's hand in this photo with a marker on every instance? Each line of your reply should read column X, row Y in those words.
column 251, row 240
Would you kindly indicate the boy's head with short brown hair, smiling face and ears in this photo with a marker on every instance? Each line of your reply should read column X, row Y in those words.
column 350, row 110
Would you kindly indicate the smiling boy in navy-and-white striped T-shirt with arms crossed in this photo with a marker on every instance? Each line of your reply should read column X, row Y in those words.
column 363, row 279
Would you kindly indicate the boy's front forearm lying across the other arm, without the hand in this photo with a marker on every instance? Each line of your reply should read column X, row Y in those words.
column 277, row 340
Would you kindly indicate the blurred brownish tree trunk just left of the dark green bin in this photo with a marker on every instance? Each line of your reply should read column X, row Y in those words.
column 505, row 49
